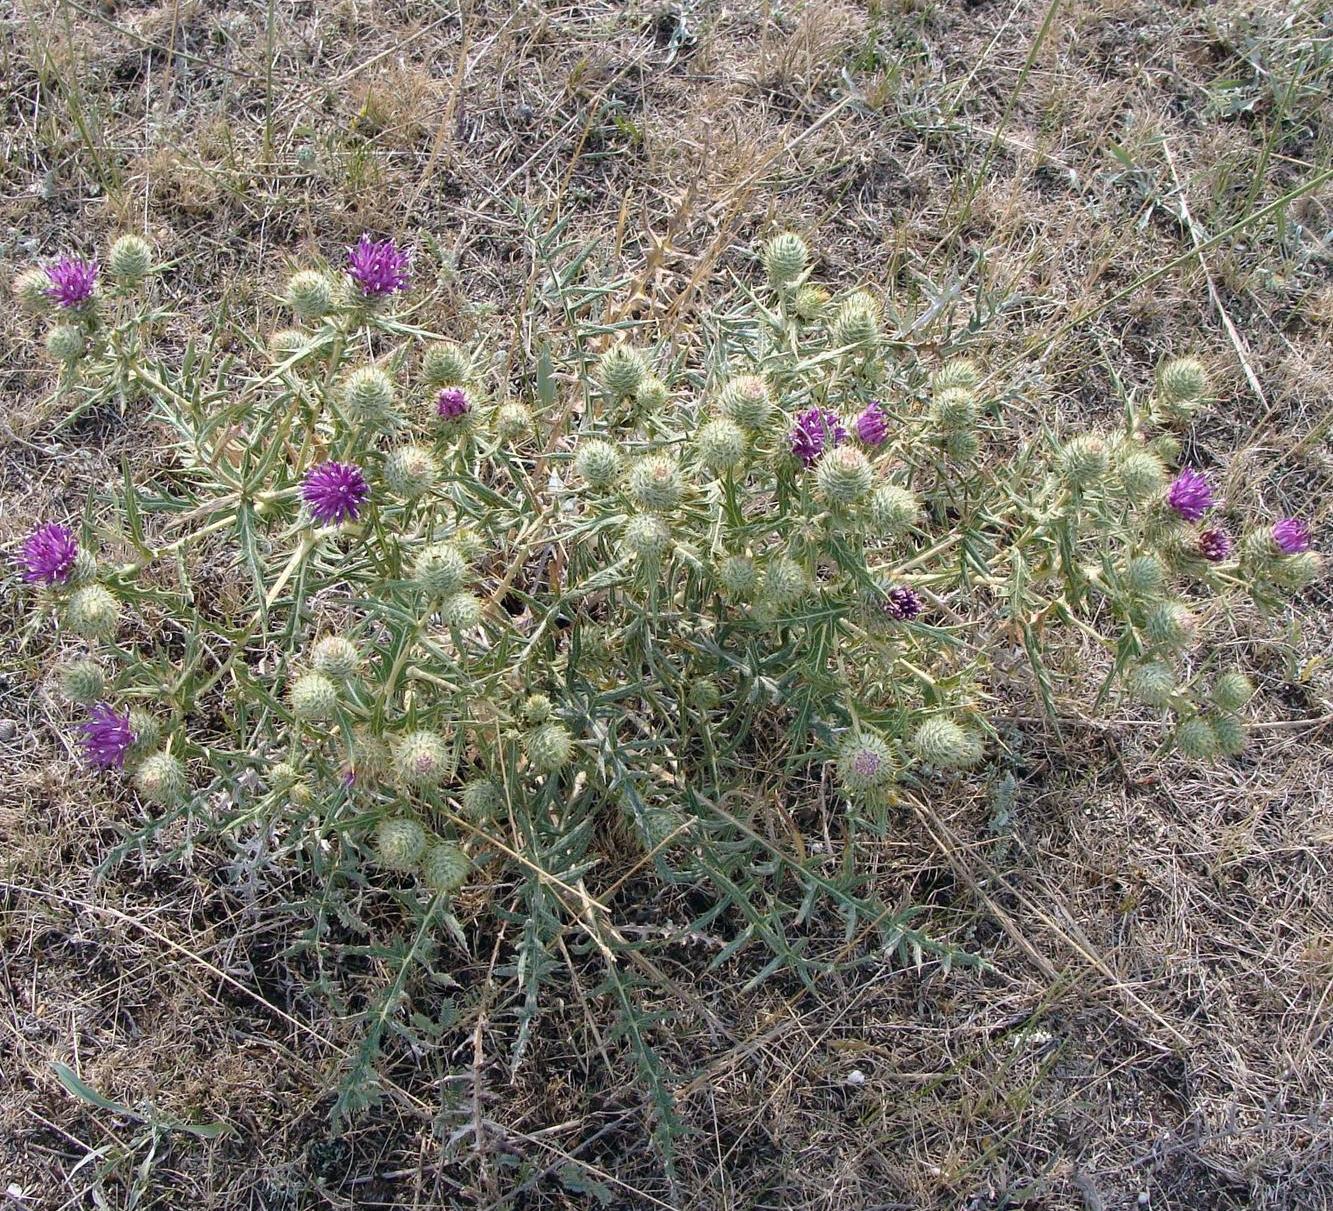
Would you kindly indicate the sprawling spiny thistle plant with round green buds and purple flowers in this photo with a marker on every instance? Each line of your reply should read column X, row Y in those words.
column 483, row 637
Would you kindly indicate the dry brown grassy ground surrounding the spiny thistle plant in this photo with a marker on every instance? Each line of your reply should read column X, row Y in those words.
column 1155, row 1025
